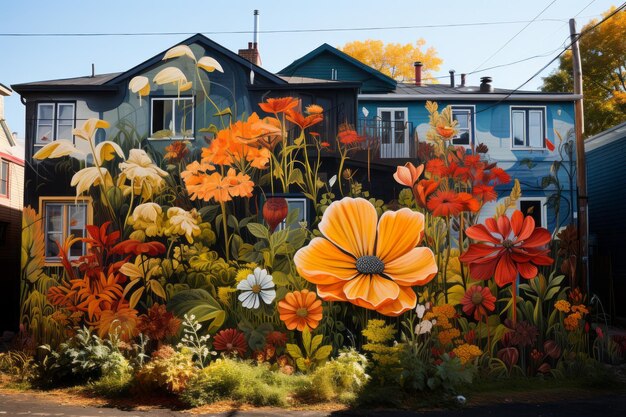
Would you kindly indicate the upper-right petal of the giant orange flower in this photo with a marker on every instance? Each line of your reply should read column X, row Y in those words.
column 398, row 233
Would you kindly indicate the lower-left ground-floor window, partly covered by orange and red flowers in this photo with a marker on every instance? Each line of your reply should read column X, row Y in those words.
column 62, row 219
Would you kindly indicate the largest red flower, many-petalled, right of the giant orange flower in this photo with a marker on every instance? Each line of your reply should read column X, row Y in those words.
column 510, row 247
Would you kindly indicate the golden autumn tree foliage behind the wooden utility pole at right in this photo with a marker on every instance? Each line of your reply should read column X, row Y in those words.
column 603, row 58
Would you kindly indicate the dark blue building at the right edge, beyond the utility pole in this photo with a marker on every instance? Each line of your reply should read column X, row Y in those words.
column 606, row 178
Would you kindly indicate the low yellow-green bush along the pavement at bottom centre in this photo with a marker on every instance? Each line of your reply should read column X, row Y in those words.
column 227, row 379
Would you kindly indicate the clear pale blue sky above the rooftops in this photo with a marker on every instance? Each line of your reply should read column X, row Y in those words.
column 26, row 59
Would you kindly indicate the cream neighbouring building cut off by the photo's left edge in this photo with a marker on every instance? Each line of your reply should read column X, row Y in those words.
column 11, row 199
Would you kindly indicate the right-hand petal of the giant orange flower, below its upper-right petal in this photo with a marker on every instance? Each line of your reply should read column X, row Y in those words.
column 414, row 268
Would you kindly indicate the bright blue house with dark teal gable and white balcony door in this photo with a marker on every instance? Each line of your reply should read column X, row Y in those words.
column 518, row 127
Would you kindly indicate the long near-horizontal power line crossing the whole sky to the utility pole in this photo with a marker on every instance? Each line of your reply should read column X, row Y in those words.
column 273, row 31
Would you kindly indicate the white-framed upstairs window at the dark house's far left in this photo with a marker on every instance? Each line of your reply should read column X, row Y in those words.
column 54, row 121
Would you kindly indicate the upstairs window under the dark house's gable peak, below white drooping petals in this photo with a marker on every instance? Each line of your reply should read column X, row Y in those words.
column 172, row 117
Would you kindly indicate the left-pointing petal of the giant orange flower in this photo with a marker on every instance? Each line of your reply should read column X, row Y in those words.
column 321, row 262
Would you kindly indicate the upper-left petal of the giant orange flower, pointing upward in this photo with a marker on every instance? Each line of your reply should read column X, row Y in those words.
column 350, row 223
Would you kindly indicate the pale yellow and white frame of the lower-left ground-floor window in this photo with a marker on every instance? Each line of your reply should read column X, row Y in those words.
column 65, row 203
